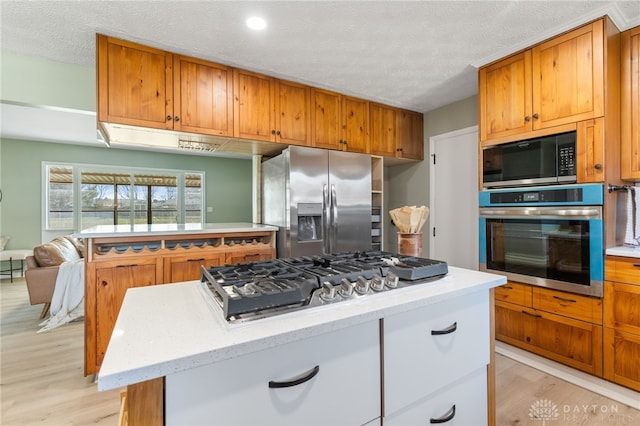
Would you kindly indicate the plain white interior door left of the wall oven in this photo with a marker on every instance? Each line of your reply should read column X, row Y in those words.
column 453, row 236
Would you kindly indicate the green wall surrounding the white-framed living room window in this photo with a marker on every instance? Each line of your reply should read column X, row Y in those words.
column 228, row 182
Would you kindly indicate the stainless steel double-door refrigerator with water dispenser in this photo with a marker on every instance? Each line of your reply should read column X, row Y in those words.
column 319, row 199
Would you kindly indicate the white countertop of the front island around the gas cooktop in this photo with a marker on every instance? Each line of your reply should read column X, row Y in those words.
column 169, row 328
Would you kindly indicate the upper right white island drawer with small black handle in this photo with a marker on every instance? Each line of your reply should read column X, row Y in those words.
column 427, row 348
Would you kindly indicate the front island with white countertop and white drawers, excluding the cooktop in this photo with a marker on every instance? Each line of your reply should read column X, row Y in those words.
column 351, row 362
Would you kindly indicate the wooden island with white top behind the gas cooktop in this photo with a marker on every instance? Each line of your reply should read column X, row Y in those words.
column 119, row 257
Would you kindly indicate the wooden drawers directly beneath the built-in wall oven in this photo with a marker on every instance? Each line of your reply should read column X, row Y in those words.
column 561, row 326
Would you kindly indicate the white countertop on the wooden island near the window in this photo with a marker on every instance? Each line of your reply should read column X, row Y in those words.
column 102, row 231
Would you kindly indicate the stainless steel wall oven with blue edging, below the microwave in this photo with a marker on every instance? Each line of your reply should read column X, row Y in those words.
column 550, row 236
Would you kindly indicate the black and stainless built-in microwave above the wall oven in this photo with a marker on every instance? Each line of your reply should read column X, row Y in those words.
column 541, row 161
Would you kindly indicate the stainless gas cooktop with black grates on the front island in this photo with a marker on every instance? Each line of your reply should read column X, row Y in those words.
column 250, row 291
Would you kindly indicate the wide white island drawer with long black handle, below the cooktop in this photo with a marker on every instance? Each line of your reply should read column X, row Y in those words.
column 342, row 368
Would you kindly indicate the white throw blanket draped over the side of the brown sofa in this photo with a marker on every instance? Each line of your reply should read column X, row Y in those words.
column 67, row 302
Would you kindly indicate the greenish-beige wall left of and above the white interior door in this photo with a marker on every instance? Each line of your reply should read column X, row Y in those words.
column 409, row 184
